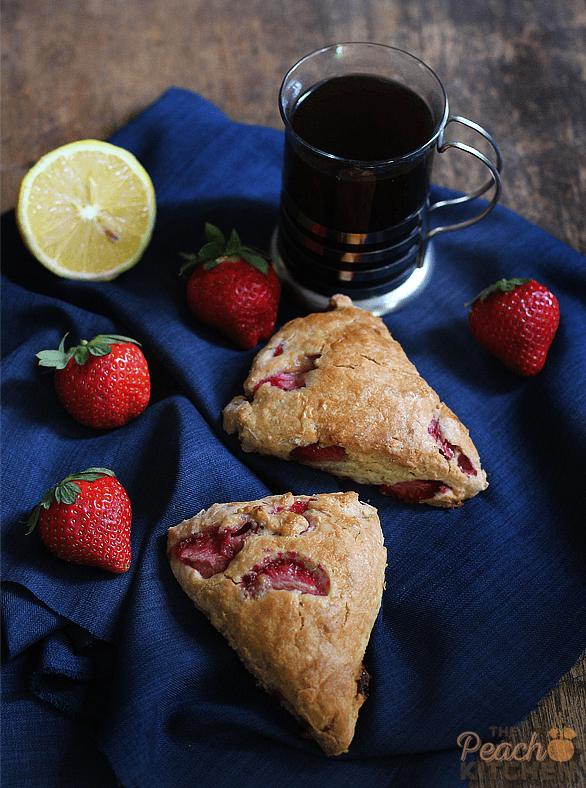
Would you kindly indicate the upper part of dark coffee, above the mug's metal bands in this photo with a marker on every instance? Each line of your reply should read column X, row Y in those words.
column 363, row 119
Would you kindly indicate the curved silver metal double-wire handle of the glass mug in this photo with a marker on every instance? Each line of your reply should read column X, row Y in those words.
column 495, row 179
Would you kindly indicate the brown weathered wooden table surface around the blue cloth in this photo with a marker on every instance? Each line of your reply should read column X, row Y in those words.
column 82, row 68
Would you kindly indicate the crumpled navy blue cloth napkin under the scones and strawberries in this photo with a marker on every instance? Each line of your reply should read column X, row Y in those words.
column 118, row 680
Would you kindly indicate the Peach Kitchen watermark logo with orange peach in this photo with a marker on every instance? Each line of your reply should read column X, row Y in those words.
column 520, row 759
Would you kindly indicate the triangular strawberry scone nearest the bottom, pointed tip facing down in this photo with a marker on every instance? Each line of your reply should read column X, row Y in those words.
column 294, row 583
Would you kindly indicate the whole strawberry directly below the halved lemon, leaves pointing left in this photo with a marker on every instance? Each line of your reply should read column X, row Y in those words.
column 102, row 383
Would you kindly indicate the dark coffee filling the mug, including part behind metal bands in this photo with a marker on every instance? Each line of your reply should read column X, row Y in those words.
column 349, row 216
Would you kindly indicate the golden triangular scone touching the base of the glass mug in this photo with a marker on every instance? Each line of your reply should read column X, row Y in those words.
column 334, row 390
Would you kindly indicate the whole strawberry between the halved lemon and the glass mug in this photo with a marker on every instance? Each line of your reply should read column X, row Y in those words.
column 233, row 289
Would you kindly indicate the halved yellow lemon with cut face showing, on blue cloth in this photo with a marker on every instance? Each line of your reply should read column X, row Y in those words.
column 87, row 210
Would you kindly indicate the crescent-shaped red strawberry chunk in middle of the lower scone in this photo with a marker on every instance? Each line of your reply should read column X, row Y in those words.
column 286, row 572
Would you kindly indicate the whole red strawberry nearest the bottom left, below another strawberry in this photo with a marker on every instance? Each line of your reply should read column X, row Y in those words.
column 85, row 519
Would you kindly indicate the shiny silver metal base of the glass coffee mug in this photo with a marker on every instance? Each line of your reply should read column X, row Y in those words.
column 379, row 304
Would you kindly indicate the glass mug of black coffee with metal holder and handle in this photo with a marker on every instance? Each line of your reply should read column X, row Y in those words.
column 355, row 210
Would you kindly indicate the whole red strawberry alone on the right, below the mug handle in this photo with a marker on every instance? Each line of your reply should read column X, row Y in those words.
column 516, row 320
